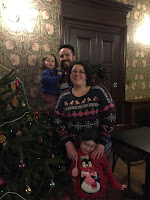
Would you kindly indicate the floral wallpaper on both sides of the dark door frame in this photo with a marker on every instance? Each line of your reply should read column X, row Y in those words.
column 23, row 50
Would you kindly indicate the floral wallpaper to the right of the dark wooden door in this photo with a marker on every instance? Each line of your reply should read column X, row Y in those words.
column 138, row 54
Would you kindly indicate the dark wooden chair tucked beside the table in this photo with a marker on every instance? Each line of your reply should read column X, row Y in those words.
column 127, row 155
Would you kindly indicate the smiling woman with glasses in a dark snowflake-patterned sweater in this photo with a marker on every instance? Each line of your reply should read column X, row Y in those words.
column 84, row 106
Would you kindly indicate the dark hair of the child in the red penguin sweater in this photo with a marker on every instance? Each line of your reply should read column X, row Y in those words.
column 90, row 134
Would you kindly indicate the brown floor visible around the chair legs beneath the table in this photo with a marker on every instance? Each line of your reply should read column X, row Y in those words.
column 137, row 180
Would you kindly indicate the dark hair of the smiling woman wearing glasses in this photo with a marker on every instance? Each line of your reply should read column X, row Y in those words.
column 88, row 72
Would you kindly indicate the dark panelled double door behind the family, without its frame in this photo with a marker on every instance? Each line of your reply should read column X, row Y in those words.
column 100, row 47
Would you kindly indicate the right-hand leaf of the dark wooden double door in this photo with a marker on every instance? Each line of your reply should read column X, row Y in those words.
column 108, row 49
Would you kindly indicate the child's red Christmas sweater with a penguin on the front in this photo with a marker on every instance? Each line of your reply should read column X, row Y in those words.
column 93, row 176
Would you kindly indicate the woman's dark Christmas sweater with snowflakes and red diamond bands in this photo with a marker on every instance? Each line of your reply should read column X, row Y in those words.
column 95, row 109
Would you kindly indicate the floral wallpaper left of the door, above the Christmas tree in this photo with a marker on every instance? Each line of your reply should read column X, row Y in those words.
column 24, row 50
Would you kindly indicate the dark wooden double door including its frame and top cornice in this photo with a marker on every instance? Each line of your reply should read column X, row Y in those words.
column 97, row 31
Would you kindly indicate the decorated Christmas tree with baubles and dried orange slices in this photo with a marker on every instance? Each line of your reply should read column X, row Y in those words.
column 31, row 167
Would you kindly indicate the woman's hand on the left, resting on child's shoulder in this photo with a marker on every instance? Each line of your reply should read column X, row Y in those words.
column 71, row 150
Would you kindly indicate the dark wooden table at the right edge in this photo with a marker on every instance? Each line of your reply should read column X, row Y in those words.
column 139, row 140
